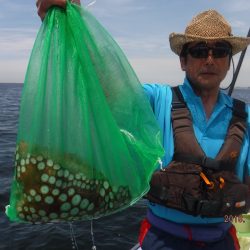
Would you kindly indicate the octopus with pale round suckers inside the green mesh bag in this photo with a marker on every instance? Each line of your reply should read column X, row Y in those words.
column 50, row 192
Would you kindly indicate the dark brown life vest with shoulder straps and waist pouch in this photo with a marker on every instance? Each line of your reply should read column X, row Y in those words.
column 195, row 183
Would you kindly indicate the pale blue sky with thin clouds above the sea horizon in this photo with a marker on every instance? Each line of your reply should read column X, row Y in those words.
column 140, row 27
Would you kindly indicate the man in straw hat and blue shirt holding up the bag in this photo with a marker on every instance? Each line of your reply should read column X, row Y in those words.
column 205, row 52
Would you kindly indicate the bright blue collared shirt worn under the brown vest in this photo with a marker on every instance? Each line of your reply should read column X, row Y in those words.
column 210, row 134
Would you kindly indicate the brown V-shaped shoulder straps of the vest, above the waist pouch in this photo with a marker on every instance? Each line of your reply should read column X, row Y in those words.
column 187, row 148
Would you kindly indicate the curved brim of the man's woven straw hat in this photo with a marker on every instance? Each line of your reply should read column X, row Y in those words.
column 178, row 40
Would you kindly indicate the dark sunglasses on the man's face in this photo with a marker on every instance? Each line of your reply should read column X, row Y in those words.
column 219, row 51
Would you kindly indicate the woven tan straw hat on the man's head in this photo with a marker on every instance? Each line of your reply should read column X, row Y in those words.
column 207, row 26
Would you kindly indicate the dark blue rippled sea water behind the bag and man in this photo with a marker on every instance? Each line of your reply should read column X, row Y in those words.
column 119, row 231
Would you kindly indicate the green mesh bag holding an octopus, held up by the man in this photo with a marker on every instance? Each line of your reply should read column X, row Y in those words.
column 87, row 140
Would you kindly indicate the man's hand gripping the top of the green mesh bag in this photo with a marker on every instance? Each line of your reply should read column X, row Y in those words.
column 44, row 5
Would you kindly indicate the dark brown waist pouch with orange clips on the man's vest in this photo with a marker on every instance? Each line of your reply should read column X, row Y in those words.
column 187, row 188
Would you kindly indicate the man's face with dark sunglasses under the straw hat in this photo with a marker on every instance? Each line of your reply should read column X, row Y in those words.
column 206, row 64
